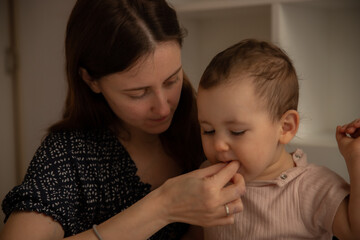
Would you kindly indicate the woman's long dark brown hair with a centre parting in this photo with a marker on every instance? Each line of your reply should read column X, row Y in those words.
column 108, row 36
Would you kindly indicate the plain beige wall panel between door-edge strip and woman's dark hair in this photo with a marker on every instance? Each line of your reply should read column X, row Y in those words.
column 41, row 30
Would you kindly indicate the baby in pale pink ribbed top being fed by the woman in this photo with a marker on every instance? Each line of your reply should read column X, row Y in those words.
column 247, row 109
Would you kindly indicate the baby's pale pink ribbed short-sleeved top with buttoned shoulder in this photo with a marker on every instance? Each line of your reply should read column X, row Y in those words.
column 300, row 204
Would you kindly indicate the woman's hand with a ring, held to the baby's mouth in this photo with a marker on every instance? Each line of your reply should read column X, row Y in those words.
column 199, row 197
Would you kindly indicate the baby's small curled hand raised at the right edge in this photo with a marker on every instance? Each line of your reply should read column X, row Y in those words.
column 348, row 139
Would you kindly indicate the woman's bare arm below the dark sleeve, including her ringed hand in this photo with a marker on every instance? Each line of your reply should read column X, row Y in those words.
column 196, row 198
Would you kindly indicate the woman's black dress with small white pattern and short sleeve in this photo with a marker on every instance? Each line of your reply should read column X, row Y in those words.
column 81, row 178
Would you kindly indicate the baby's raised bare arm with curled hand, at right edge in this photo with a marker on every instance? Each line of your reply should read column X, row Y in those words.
column 347, row 219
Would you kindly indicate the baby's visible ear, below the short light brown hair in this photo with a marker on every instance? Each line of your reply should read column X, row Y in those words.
column 289, row 126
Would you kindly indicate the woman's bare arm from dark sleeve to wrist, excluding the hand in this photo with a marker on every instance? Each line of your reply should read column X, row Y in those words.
column 139, row 221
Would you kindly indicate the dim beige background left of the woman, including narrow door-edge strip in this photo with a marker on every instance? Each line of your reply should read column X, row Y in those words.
column 40, row 28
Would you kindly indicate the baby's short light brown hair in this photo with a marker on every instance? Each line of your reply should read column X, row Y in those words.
column 270, row 69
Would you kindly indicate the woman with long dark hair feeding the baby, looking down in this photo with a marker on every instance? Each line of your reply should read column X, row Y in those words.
column 108, row 169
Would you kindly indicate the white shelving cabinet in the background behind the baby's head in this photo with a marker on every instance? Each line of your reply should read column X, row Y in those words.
column 322, row 37
